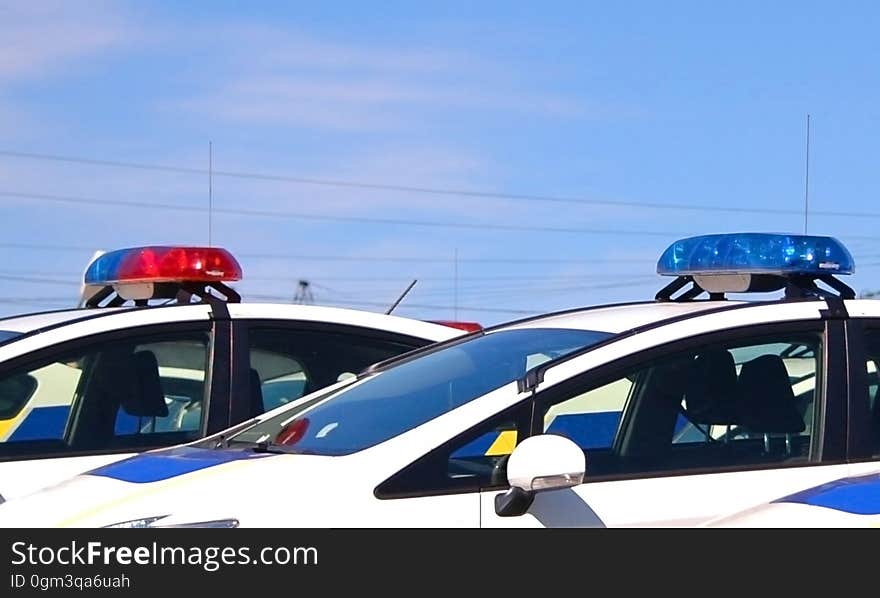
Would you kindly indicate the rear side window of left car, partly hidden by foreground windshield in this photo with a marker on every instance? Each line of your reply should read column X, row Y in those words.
column 287, row 363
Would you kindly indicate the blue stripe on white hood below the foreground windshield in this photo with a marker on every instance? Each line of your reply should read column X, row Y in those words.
column 154, row 467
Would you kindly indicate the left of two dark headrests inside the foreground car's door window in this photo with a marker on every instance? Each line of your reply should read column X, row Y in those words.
column 711, row 388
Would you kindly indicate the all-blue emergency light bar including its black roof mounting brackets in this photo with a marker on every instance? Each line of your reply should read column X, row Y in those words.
column 743, row 262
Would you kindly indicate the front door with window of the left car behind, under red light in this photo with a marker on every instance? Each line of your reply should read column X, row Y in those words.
column 77, row 405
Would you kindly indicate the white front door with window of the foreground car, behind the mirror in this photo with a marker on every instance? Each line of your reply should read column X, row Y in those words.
column 690, row 429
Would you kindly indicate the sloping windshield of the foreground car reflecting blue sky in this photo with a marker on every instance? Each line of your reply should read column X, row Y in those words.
column 391, row 402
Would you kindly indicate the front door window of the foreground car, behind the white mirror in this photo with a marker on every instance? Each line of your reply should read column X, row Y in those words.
column 716, row 407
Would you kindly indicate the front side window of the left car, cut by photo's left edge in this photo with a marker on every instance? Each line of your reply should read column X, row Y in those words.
column 109, row 394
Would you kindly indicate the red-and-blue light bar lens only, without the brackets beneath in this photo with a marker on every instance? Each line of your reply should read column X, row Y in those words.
column 163, row 264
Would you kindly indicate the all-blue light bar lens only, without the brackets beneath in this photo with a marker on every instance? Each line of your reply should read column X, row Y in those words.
column 755, row 253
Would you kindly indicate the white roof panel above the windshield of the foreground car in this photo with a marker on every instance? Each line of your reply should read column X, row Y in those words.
column 619, row 318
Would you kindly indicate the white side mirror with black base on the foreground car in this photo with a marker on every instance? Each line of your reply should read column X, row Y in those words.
column 539, row 463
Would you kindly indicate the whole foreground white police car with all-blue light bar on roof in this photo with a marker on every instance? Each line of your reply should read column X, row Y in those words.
column 669, row 412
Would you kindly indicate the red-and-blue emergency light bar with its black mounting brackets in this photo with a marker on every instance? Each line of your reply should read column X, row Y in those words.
column 158, row 271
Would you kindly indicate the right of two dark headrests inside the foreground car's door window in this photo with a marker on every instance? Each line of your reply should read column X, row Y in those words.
column 767, row 402
